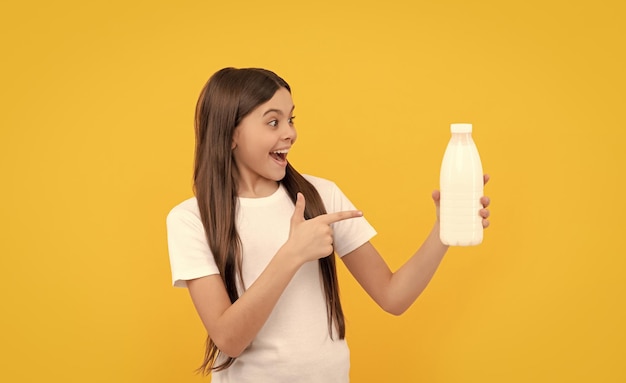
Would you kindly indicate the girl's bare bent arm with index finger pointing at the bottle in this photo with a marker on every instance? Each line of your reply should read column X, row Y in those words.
column 232, row 327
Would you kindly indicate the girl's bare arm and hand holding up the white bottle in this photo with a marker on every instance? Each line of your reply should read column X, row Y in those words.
column 394, row 292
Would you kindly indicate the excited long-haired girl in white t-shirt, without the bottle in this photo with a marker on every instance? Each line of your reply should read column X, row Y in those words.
column 255, row 246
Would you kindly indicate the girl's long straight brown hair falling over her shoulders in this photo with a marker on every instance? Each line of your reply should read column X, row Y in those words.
column 229, row 96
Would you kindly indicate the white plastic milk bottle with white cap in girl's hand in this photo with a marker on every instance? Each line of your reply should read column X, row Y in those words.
column 461, row 184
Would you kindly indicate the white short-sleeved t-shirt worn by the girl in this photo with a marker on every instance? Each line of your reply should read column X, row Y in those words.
column 294, row 344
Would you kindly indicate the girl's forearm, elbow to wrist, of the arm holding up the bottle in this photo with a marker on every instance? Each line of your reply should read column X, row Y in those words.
column 408, row 282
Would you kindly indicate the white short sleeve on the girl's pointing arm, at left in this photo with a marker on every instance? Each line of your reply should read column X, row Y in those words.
column 190, row 256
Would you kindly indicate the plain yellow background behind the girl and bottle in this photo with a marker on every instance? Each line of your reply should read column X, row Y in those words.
column 96, row 146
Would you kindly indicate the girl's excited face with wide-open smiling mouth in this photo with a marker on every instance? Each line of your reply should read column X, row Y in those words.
column 261, row 142
